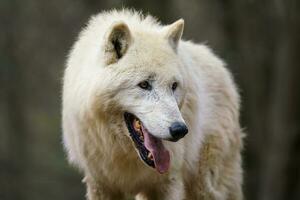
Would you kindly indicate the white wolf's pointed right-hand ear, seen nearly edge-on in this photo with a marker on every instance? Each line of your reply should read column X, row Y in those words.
column 174, row 32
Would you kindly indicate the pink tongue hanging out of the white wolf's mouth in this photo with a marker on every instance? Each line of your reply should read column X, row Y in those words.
column 161, row 156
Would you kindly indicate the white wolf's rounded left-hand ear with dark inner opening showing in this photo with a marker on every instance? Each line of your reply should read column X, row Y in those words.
column 116, row 42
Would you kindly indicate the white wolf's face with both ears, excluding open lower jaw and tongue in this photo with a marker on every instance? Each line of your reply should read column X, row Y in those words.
column 148, row 69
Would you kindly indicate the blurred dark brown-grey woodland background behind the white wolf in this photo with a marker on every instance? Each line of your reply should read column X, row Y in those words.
column 259, row 39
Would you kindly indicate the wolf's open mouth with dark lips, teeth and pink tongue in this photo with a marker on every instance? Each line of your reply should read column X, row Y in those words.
column 150, row 149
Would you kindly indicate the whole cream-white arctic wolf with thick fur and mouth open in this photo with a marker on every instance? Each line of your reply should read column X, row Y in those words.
column 147, row 114
